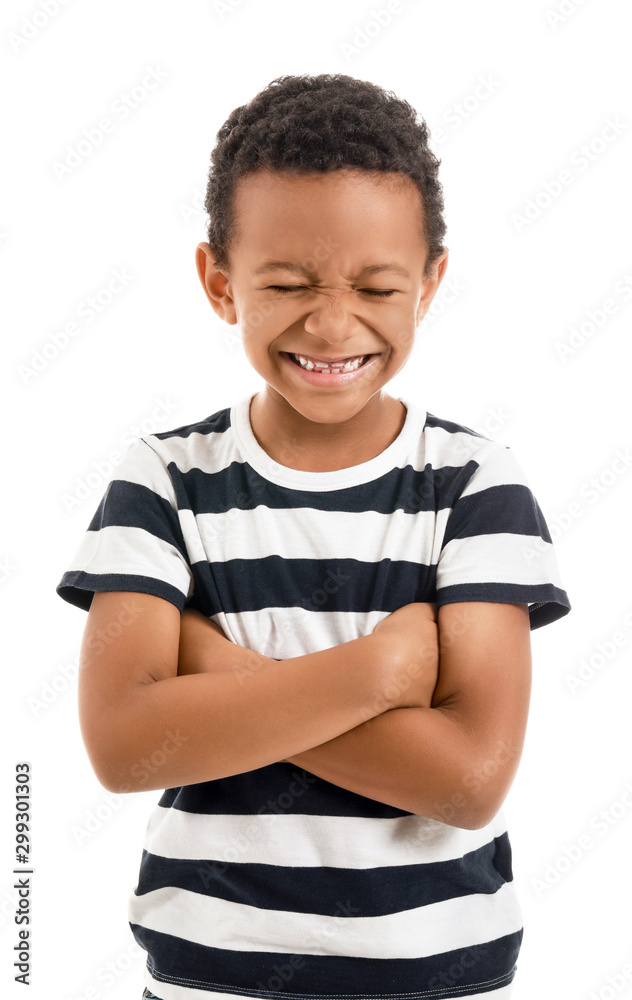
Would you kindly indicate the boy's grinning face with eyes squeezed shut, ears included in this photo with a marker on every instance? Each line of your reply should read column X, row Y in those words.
column 330, row 229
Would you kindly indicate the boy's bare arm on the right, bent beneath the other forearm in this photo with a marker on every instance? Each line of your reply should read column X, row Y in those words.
column 454, row 759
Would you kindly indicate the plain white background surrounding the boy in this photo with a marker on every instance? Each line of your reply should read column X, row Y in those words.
column 135, row 203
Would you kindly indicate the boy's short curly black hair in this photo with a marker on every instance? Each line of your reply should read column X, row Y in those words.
column 321, row 123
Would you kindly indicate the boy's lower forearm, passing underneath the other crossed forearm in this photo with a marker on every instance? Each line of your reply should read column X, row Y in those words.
column 416, row 759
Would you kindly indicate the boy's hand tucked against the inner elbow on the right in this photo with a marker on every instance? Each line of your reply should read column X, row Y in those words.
column 412, row 635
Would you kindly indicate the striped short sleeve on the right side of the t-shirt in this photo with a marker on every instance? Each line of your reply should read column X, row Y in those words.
column 497, row 546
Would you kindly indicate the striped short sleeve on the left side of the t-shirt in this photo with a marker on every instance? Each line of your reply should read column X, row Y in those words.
column 134, row 541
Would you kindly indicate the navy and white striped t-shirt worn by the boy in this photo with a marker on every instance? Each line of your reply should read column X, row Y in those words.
column 275, row 882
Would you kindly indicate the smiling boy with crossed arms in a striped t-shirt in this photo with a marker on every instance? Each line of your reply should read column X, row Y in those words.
column 309, row 612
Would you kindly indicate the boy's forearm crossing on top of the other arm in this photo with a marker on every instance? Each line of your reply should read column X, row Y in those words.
column 213, row 725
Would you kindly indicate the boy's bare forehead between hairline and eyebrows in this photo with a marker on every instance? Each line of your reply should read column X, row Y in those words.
column 346, row 206
